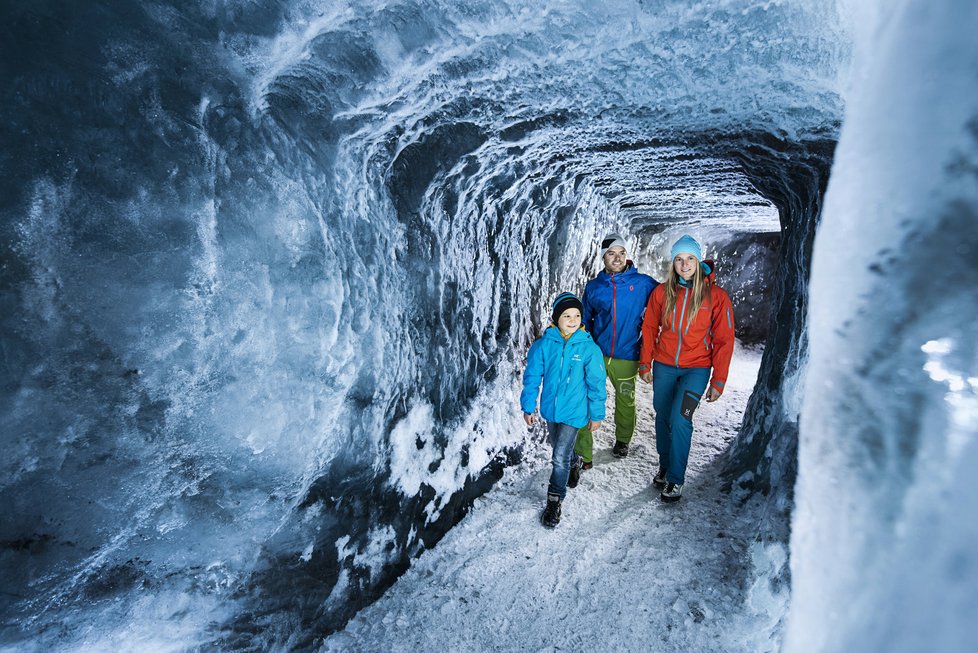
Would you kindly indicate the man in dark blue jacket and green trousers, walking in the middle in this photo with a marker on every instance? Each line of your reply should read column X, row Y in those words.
column 614, row 303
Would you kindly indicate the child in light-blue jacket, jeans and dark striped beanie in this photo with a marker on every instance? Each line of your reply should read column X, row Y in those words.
column 571, row 368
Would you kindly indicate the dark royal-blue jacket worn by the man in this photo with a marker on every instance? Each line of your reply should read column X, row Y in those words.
column 613, row 308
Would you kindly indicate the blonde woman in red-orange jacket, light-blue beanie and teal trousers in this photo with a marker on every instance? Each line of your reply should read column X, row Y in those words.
column 687, row 330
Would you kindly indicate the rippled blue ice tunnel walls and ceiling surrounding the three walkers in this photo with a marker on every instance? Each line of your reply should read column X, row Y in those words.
column 269, row 272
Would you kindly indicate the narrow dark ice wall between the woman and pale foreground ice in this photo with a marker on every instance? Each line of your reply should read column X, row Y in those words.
column 762, row 461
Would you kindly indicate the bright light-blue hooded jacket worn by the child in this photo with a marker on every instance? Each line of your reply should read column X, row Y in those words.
column 572, row 372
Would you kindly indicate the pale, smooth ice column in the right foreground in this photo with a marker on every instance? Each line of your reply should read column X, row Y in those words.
column 884, row 553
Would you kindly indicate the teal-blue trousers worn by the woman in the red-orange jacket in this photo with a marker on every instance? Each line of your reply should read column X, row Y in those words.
column 676, row 393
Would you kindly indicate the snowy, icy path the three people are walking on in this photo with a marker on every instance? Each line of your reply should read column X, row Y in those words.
column 622, row 571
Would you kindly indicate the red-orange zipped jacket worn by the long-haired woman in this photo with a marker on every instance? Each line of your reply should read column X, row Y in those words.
column 705, row 342
